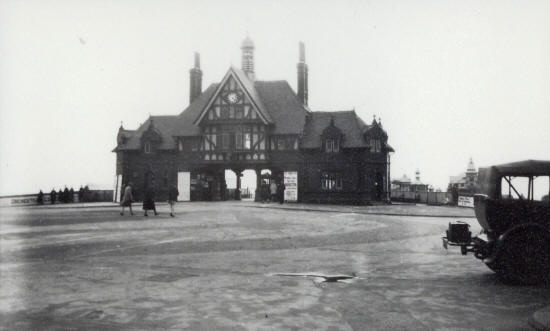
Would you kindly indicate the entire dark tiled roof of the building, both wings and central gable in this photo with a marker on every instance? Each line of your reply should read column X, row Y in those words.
column 277, row 104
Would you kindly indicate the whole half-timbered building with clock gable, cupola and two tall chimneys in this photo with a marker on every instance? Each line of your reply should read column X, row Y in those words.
column 243, row 123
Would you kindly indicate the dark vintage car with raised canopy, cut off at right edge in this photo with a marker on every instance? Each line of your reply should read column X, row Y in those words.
column 513, row 208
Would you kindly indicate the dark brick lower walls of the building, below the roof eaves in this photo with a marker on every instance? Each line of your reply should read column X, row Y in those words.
column 362, row 172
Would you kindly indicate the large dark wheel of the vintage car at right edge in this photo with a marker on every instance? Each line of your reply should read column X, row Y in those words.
column 525, row 258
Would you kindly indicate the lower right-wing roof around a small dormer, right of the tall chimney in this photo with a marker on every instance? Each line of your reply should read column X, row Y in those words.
column 346, row 121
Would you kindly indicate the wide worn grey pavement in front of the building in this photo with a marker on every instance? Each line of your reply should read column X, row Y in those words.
column 220, row 266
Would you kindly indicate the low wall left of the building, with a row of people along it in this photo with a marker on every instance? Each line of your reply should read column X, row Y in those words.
column 31, row 199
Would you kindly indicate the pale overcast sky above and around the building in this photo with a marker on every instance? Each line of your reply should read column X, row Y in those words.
column 450, row 79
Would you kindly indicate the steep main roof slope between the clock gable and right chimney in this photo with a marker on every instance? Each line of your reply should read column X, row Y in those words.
column 280, row 101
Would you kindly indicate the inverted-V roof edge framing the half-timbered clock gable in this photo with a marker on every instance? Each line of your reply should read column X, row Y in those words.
column 247, row 86
